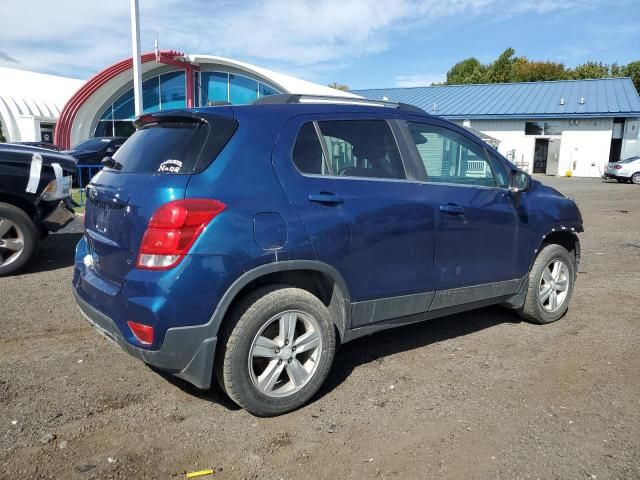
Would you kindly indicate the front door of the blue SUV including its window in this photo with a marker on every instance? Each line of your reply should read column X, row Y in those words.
column 478, row 231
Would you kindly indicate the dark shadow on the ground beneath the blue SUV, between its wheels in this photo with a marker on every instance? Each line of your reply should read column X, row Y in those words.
column 402, row 339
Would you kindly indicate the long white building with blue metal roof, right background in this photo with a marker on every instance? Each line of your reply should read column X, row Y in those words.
column 560, row 127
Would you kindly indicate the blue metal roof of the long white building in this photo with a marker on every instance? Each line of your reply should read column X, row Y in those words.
column 609, row 97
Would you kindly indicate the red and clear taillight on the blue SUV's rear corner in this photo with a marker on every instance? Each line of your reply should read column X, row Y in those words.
column 173, row 228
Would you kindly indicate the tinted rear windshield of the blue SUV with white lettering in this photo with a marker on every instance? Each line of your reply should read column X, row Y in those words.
column 174, row 147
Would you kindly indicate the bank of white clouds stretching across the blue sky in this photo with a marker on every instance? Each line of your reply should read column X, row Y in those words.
column 82, row 36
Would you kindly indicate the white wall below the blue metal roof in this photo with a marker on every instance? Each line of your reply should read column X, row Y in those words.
column 586, row 142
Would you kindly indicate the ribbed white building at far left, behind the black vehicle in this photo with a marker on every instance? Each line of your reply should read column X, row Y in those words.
column 30, row 103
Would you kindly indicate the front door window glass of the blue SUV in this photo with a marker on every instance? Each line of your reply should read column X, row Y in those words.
column 450, row 157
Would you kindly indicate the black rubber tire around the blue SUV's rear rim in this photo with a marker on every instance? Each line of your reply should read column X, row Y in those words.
column 247, row 319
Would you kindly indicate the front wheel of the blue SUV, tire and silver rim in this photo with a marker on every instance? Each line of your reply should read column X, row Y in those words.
column 550, row 285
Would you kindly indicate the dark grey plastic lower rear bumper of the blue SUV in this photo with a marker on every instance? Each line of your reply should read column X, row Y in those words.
column 187, row 352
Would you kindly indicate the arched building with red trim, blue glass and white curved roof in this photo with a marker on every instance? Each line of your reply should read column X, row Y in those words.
column 104, row 104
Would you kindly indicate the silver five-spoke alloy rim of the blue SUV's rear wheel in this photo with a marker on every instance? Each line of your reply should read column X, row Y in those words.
column 285, row 353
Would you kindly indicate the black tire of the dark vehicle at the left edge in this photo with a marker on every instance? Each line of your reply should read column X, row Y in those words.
column 24, row 228
